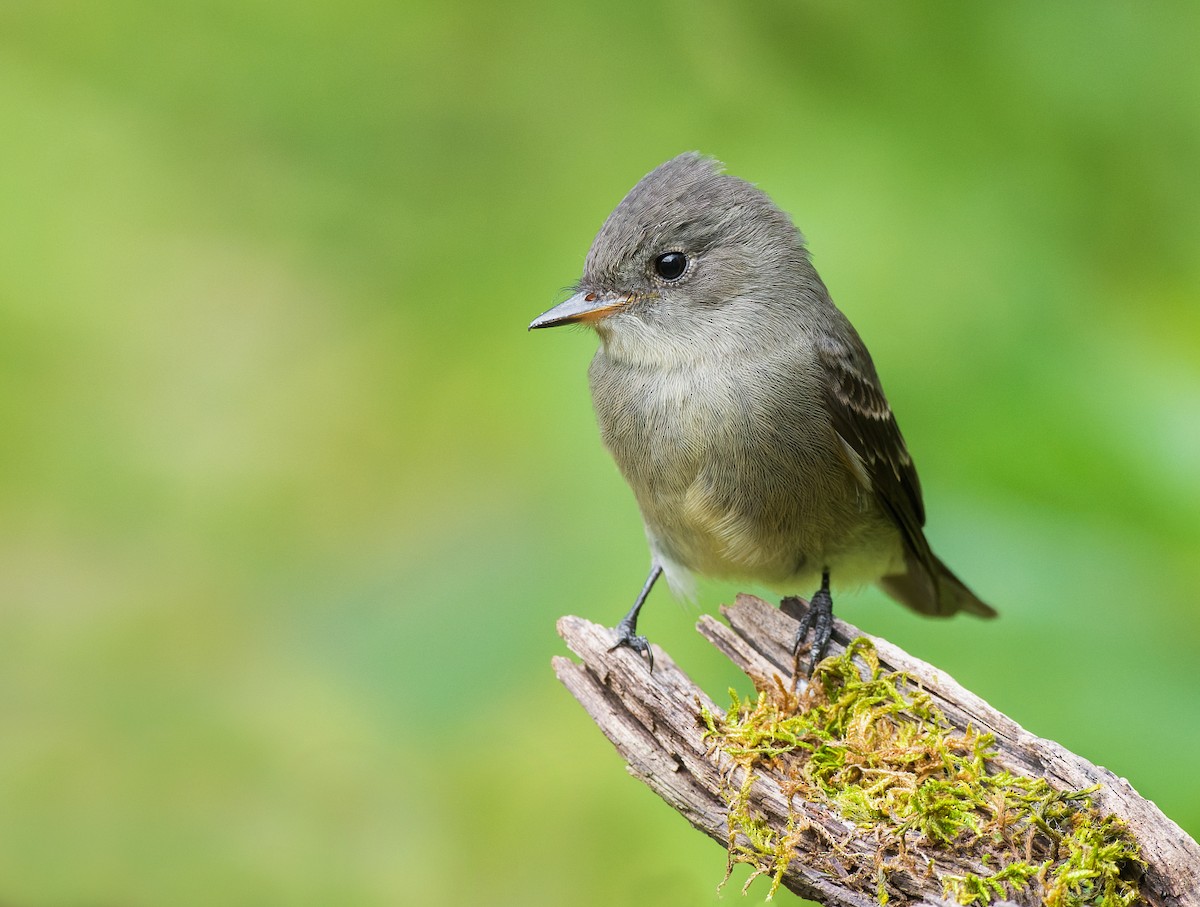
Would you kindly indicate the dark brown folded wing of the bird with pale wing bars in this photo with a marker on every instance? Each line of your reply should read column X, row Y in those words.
column 863, row 419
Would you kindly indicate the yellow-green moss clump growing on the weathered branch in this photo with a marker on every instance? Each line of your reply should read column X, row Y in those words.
column 875, row 749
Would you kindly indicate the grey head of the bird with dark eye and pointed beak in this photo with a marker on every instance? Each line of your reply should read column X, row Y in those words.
column 691, row 255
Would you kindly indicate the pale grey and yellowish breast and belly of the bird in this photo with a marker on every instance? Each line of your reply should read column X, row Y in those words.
column 736, row 474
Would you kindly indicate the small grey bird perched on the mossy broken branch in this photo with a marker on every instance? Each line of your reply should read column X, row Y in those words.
column 742, row 407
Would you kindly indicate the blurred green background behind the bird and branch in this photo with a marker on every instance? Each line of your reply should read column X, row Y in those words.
column 291, row 501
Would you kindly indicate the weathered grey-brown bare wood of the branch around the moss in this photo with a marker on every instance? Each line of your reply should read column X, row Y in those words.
column 653, row 720
